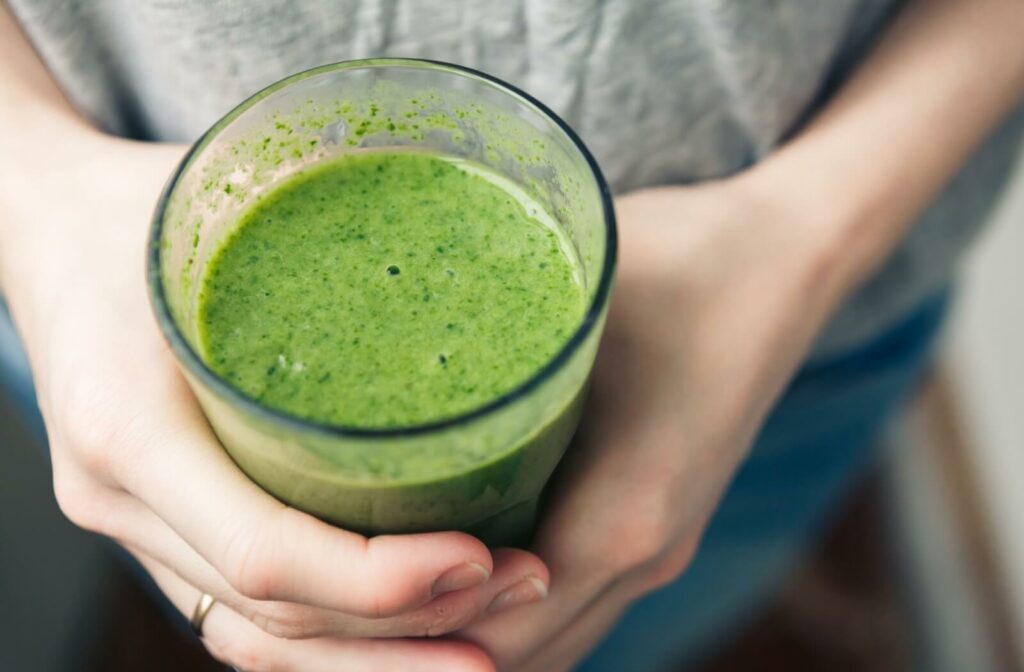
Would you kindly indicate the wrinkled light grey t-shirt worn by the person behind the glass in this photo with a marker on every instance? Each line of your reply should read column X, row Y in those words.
column 663, row 92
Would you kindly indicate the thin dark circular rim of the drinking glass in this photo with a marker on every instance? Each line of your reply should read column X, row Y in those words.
column 195, row 365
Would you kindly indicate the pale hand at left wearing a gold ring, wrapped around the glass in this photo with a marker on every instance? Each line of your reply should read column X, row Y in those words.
column 135, row 459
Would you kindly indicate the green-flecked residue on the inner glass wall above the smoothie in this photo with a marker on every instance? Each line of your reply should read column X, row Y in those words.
column 318, row 131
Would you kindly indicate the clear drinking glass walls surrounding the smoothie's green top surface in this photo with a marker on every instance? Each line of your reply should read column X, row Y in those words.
column 482, row 472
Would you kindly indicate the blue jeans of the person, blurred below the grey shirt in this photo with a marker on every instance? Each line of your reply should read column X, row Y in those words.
column 817, row 442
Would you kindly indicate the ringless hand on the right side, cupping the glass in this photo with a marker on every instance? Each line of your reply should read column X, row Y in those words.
column 719, row 296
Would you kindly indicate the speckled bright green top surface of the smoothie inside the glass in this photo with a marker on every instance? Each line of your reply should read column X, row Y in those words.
column 389, row 289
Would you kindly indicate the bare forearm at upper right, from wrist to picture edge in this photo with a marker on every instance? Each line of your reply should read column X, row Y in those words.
column 940, row 81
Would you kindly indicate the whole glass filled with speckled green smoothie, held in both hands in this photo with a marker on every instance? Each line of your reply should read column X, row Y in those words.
column 386, row 282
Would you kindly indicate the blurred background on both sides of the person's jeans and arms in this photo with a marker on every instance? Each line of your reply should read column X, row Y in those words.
column 924, row 570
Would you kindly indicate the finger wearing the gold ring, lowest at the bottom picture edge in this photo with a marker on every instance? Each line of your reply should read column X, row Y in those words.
column 235, row 641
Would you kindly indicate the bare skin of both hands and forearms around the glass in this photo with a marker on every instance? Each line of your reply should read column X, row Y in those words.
column 766, row 257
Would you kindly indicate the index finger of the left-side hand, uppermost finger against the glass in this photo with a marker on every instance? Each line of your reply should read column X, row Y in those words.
column 267, row 551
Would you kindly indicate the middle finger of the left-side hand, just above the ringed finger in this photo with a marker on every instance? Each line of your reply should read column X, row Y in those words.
column 448, row 613
